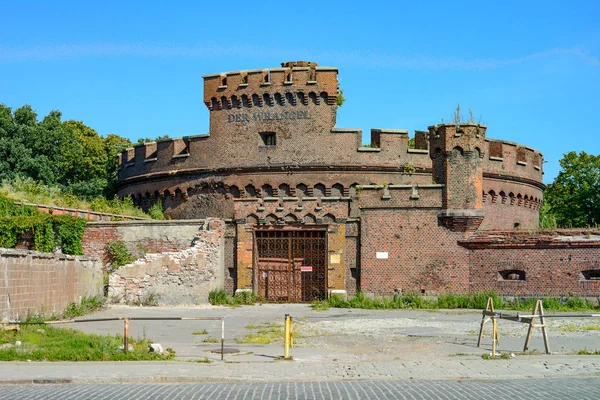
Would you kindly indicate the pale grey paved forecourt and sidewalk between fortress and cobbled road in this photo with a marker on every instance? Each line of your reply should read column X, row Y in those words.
column 336, row 345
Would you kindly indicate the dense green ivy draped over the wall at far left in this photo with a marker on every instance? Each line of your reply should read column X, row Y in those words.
column 49, row 231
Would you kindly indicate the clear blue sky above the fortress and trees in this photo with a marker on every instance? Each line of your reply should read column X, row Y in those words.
column 530, row 69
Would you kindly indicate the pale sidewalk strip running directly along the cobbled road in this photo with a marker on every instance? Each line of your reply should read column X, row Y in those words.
column 298, row 370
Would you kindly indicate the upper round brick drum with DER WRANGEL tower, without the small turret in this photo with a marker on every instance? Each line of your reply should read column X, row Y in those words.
column 199, row 176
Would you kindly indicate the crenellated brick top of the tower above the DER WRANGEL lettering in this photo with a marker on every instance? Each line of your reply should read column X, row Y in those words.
column 294, row 83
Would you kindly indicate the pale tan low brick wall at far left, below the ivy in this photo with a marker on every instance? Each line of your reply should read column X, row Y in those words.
column 44, row 283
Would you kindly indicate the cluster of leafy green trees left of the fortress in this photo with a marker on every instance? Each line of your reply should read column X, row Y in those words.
column 68, row 154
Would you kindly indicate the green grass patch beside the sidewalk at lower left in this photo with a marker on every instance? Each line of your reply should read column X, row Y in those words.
column 61, row 344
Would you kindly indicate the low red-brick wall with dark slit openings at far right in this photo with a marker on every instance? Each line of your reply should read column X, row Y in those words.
column 552, row 263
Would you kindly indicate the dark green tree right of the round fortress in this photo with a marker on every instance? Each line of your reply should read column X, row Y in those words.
column 574, row 196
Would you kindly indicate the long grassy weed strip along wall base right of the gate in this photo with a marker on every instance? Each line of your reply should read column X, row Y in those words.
column 452, row 301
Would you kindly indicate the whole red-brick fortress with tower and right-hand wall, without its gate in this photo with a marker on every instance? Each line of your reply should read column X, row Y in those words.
column 274, row 159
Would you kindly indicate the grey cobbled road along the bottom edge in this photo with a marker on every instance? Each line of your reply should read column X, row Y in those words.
column 514, row 389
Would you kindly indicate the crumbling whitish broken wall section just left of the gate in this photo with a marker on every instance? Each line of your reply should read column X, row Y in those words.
column 181, row 277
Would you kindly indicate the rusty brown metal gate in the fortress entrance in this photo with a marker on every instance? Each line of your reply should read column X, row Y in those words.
column 291, row 264
